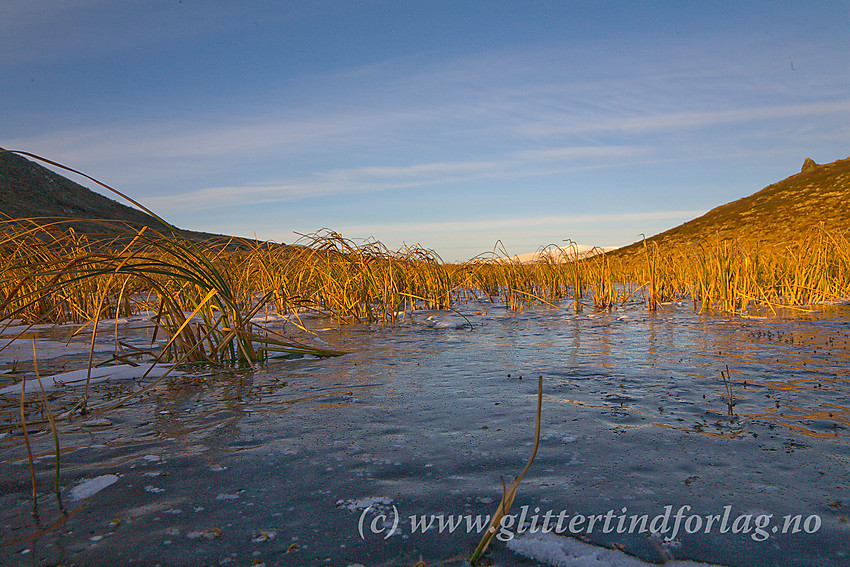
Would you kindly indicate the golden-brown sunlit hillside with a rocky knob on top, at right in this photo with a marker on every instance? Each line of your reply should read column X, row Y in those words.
column 777, row 215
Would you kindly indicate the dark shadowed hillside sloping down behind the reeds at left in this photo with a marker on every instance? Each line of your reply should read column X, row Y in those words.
column 29, row 190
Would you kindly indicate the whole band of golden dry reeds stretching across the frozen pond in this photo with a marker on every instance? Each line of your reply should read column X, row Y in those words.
column 49, row 274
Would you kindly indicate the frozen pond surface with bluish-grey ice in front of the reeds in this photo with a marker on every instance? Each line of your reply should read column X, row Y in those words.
column 311, row 461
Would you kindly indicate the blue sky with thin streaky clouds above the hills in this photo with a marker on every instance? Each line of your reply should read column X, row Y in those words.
column 453, row 125
